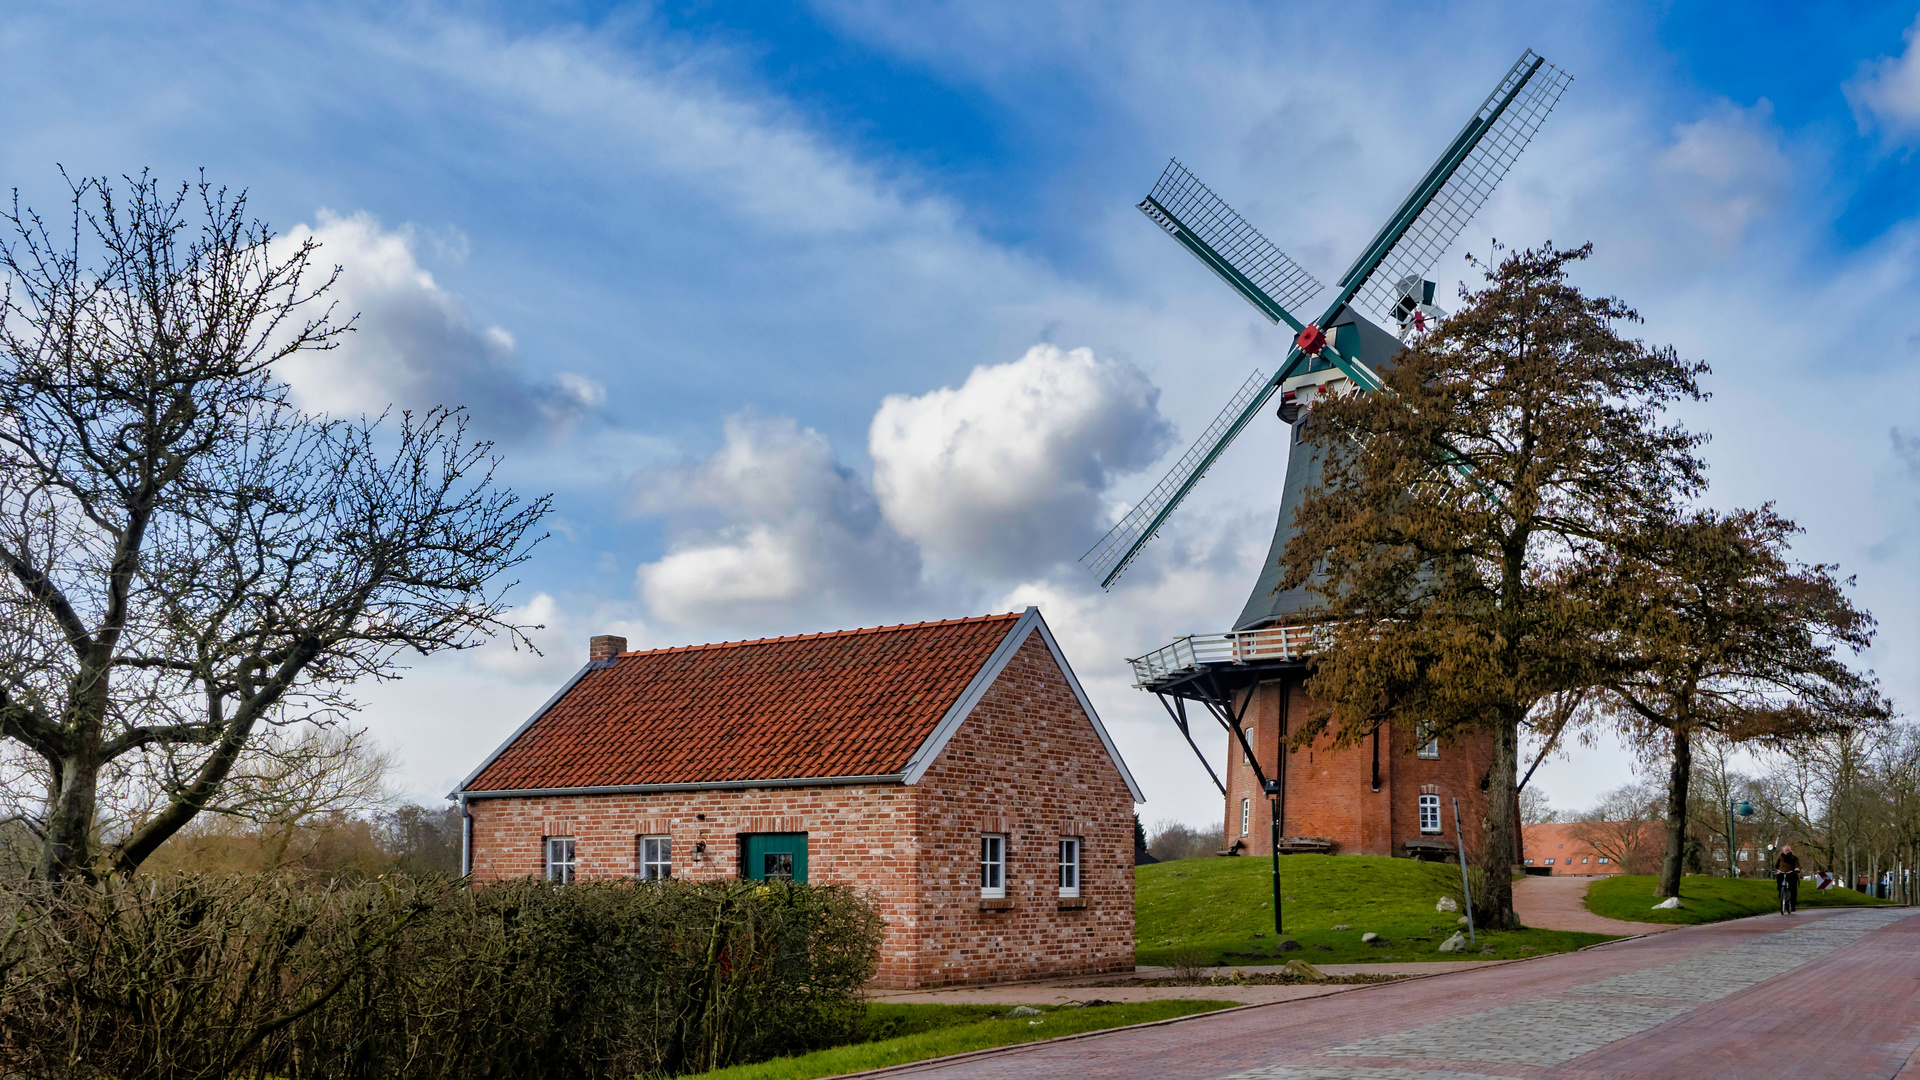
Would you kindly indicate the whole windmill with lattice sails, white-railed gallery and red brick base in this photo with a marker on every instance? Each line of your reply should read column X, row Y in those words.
column 1385, row 798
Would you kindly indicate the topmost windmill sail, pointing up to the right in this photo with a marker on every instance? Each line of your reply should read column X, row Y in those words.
column 1456, row 187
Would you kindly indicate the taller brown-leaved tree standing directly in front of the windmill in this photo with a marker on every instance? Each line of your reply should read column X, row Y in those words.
column 1508, row 453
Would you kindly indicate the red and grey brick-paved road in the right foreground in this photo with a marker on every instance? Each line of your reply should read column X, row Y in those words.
column 1806, row 996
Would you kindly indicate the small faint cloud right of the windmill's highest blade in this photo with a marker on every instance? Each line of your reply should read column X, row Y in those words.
column 1727, row 170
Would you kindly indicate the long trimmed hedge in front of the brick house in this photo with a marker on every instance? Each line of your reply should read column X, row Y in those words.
column 189, row 977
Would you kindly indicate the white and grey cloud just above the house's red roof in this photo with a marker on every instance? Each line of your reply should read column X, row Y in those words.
column 773, row 524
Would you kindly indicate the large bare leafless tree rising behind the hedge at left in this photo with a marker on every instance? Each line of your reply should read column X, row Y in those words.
column 187, row 556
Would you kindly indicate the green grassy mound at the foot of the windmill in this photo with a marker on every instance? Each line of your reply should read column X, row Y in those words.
column 1224, row 908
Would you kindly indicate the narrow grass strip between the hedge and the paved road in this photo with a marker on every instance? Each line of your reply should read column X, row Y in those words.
column 896, row 1035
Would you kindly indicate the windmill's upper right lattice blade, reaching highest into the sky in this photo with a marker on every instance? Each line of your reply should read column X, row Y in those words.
column 1441, row 222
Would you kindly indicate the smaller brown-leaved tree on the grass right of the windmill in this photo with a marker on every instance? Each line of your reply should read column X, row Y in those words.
column 1727, row 637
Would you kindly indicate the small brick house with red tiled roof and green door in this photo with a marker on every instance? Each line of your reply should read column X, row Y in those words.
column 955, row 772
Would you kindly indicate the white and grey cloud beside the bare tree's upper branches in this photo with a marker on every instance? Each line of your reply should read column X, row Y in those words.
column 418, row 347
